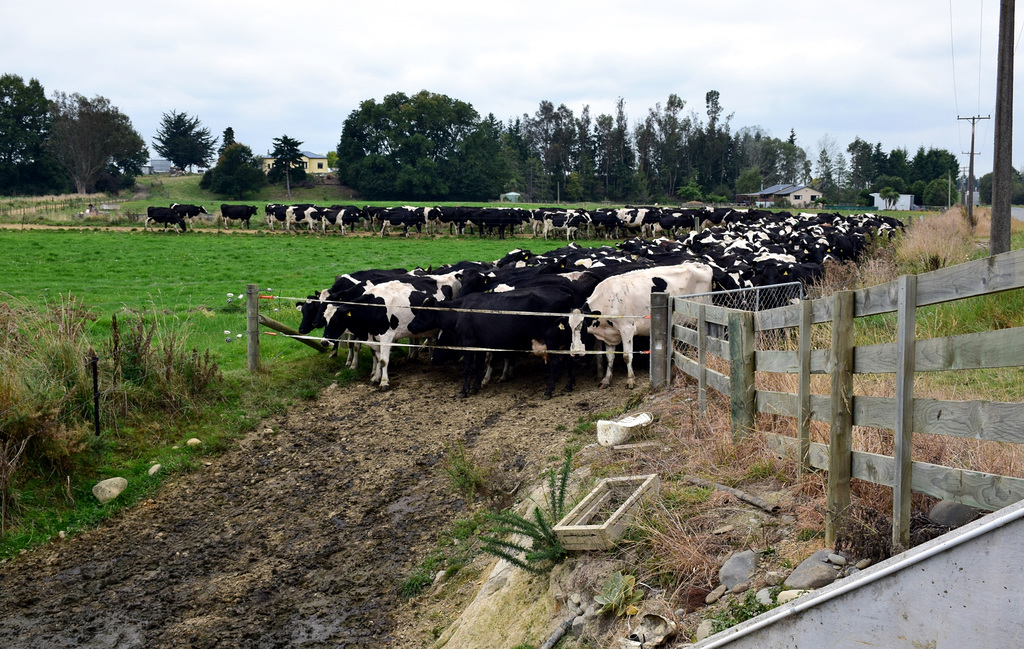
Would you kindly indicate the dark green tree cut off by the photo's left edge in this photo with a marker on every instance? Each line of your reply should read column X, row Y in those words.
column 26, row 167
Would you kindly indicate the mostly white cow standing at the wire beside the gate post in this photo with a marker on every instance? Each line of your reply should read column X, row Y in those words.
column 629, row 295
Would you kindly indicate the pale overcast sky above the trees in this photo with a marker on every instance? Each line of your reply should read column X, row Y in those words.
column 898, row 73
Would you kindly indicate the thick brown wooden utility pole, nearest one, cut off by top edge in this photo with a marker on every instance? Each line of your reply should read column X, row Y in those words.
column 1002, row 188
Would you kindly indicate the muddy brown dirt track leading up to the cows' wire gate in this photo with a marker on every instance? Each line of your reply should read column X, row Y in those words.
column 300, row 537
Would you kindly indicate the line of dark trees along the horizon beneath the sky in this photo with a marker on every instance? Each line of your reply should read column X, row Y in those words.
column 430, row 147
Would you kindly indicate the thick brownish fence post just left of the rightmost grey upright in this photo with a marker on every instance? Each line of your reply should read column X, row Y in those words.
column 841, row 432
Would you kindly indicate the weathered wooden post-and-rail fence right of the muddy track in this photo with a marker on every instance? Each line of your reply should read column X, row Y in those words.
column 843, row 410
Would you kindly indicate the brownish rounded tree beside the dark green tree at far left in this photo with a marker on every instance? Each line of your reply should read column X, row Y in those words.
column 90, row 137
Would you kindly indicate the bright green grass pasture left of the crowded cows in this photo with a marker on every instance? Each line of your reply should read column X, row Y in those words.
column 184, row 281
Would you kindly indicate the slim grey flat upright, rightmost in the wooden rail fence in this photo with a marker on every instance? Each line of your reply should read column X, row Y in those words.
column 904, row 431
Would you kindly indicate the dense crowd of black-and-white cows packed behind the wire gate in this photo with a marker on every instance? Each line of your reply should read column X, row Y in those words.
column 561, row 304
